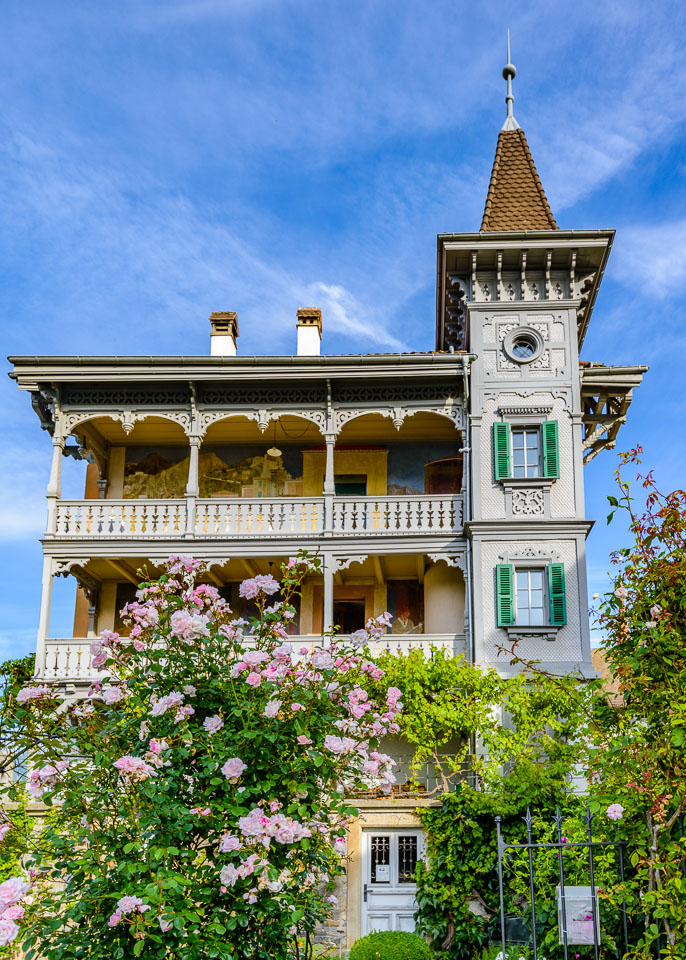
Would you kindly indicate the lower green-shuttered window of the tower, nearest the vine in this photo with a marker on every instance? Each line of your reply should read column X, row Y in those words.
column 520, row 595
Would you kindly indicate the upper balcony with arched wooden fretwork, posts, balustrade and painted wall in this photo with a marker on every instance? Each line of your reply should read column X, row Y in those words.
column 257, row 475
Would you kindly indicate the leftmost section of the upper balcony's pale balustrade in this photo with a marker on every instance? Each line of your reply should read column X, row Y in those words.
column 105, row 519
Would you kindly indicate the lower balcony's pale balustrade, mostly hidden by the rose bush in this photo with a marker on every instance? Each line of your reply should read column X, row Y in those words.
column 69, row 660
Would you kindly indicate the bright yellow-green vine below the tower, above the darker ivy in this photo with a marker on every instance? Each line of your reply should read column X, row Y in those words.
column 527, row 723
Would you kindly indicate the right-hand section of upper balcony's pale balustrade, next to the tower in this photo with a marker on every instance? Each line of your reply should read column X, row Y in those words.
column 421, row 513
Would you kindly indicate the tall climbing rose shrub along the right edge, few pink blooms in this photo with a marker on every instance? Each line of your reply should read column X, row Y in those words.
column 638, row 754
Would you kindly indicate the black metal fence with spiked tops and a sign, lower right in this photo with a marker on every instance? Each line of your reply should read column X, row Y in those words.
column 529, row 935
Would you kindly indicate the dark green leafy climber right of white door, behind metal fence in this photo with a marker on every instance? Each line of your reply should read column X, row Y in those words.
column 457, row 886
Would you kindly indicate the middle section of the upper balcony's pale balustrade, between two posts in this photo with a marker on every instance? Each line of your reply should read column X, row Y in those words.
column 238, row 517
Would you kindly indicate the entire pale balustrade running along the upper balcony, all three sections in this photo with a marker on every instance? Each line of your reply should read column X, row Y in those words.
column 236, row 518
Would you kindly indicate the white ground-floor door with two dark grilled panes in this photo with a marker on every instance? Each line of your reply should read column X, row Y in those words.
column 390, row 858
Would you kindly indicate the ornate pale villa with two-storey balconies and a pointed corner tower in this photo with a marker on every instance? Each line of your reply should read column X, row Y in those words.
column 444, row 486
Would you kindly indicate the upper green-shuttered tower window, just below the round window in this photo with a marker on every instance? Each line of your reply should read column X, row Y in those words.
column 526, row 451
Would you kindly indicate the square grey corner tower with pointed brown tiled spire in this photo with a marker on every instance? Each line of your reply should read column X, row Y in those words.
column 519, row 294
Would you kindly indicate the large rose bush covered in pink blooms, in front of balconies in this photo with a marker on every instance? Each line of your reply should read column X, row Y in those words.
column 205, row 783
